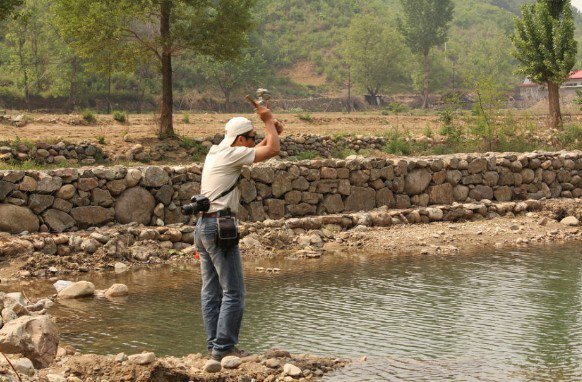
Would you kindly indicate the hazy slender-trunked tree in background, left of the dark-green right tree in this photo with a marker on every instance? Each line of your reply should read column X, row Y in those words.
column 424, row 25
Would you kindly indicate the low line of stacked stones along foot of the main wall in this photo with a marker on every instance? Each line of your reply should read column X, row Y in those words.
column 142, row 244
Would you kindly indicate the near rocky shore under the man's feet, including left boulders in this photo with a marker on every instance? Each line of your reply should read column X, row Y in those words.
column 30, row 343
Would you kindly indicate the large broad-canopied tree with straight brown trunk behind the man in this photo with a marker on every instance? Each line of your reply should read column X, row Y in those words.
column 160, row 28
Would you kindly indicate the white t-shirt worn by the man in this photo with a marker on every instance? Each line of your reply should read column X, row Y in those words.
column 221, row 170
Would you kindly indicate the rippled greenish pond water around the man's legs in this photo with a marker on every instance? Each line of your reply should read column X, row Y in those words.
column 488, row 316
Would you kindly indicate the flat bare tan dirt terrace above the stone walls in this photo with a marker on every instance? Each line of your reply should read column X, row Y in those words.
column 141, row 127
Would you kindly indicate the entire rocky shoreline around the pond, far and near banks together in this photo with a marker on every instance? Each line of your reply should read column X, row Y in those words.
column 435, row 230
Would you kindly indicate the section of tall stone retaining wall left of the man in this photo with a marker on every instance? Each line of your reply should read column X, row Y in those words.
column 71, row 199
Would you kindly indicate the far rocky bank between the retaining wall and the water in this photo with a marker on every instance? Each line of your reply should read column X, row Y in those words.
column 45, row 255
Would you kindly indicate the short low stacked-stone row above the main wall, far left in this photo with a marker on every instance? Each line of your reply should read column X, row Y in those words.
column 84, row 153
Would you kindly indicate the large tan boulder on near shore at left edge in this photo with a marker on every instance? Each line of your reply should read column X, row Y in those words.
column 35, row 337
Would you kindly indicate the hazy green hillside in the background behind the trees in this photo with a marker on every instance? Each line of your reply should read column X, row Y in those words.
column 297, row 50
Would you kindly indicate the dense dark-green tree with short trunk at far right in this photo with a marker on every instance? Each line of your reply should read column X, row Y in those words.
column 545, row 48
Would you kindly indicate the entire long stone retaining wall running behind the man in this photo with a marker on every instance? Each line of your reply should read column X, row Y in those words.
column 69, row 199
